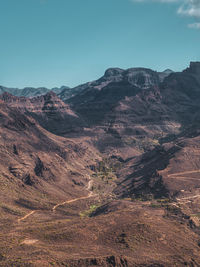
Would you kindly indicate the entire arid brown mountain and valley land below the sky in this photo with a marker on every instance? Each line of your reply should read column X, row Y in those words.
column 104, row 174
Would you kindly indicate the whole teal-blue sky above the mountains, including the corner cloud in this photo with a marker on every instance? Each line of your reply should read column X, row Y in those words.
column 68, row 42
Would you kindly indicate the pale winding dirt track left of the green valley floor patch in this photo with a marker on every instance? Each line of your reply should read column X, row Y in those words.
column 91, row 194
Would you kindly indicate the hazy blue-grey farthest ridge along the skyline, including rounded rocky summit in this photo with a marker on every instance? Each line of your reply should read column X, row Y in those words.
column 115, row 74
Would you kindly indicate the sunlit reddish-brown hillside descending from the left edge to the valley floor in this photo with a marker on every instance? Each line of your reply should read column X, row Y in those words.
column 35, row 162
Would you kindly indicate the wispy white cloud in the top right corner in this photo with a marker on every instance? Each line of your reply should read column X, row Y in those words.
column 189, row 8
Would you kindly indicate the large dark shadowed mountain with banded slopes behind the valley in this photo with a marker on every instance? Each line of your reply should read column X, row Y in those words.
column 127, row 114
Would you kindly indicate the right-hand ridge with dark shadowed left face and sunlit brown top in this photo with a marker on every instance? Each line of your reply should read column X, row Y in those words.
column 170, row 170
